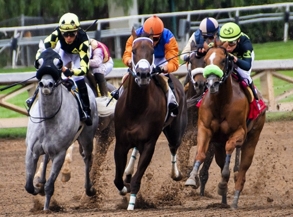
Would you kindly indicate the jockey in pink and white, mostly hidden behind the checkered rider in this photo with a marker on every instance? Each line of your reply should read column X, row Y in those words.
column 101, row 64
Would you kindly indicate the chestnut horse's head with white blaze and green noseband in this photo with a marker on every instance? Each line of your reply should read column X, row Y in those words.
column 218, row 67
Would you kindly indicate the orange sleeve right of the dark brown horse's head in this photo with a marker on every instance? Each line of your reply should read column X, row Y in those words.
column 171, row 54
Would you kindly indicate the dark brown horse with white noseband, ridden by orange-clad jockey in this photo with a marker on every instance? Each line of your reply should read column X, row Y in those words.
column 140, row 117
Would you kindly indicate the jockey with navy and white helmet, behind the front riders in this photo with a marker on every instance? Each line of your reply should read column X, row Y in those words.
column 207, row 32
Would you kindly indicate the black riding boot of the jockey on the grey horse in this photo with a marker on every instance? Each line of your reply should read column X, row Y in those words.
column 82, row 89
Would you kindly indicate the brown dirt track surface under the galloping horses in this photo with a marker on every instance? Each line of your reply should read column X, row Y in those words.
column 268, row 190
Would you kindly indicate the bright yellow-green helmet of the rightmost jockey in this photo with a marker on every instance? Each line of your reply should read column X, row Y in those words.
column 230, row 32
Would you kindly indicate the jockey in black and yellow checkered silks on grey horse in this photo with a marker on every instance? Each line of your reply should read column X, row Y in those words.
column 75, row 49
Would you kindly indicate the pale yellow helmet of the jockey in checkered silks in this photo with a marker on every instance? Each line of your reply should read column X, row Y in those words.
column 69, row 22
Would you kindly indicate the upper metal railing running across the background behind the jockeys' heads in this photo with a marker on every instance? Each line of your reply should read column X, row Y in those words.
column 188, row 22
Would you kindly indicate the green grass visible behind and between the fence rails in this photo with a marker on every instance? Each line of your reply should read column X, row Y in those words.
column 272, row 50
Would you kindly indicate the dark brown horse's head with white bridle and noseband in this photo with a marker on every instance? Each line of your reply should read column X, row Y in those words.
column 142, row 58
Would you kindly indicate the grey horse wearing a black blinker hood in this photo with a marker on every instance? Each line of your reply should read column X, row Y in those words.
column 53, row 126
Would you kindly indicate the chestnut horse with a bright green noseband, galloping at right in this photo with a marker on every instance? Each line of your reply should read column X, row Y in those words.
column 223, row 118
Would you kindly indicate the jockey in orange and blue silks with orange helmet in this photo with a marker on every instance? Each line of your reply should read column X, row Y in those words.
column 165, row 48
